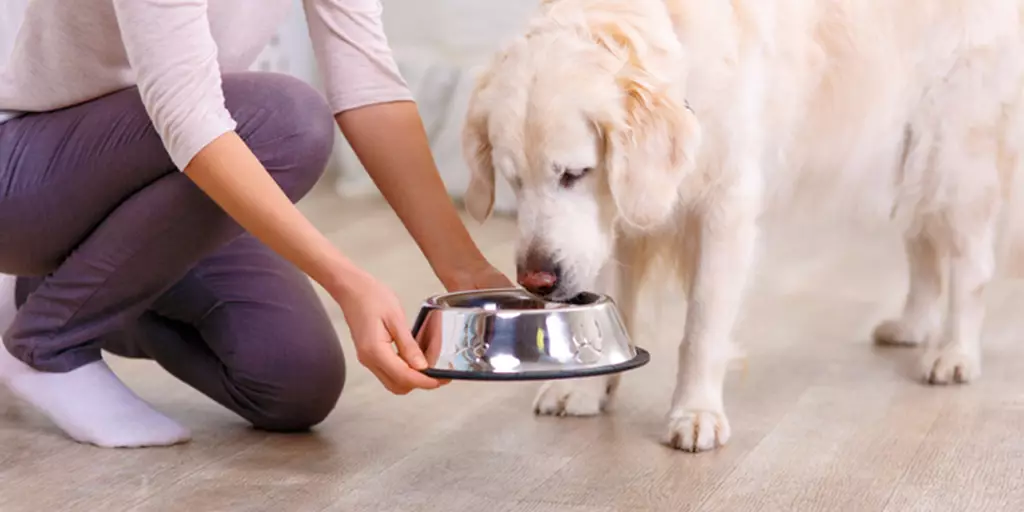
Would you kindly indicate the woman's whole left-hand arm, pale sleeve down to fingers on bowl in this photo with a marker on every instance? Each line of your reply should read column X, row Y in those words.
column 175, row 58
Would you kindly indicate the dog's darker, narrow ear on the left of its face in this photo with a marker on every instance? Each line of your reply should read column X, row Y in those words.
column 477, row 151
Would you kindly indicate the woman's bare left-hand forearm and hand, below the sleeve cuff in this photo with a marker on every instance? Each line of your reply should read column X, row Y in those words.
column 229, row 173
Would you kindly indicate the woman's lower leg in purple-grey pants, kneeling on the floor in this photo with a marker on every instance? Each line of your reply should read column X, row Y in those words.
column 246, row 329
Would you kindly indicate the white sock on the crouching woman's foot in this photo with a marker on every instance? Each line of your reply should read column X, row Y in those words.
column 90, row 404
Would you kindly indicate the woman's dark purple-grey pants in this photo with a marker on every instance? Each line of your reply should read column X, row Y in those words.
column 118, row 250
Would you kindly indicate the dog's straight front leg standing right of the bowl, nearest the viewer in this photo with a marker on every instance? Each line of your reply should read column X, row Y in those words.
column 726, row 253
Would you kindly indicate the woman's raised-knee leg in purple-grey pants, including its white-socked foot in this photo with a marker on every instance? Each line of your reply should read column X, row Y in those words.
column 91, row 199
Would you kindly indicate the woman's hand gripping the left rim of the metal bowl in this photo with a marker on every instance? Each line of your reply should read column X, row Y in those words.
column 376, row 321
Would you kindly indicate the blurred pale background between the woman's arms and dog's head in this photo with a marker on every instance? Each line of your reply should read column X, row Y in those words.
column 440, row 47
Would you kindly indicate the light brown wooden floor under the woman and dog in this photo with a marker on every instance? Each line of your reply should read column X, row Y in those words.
column 822, row 419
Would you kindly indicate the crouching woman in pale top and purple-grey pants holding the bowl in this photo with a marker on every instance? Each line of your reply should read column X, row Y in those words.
column 147, row 204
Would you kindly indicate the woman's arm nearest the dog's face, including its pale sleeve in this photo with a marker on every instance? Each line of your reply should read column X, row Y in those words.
column 382, row 124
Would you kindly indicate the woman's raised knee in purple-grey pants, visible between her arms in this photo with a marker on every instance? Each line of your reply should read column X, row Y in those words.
column 287, row 123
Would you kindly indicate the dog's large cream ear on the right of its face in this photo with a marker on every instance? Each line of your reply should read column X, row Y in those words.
column 652, row 145
